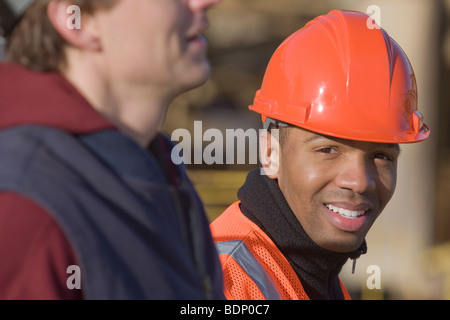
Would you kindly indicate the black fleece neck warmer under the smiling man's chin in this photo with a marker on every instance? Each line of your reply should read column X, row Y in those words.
column 318, row 269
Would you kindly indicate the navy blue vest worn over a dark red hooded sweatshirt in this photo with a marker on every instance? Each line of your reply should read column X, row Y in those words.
column 136, row 236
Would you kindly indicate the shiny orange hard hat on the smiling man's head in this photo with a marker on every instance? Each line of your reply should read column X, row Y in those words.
column 341, row 77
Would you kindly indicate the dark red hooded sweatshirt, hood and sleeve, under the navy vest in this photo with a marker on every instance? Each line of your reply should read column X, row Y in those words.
column 35, row 253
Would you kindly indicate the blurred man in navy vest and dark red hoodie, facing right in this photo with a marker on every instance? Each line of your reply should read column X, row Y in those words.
column 91, row 205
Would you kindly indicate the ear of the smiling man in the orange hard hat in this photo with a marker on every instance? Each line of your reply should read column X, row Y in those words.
column 269, row 152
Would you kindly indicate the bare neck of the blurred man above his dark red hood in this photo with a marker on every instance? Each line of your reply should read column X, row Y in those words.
column 138, row 111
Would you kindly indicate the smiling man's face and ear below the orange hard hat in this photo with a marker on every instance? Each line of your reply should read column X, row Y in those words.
column 336, row 188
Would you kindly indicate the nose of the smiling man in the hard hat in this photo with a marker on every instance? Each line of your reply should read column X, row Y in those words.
column 357, row 174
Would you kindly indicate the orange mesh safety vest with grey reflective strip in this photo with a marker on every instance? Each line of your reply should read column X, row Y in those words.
column 253, row 267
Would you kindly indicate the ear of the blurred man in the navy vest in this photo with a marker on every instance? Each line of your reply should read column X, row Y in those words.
column 61, row 17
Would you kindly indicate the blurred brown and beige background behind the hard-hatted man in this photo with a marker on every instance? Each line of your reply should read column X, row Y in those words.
column 410, row 242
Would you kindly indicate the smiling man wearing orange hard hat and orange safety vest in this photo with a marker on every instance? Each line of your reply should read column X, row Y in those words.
column 341, row 97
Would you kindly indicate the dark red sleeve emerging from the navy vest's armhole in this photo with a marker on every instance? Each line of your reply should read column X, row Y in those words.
column 35, row 253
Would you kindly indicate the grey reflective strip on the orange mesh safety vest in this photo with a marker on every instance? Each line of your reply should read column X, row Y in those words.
column 239, row 251
